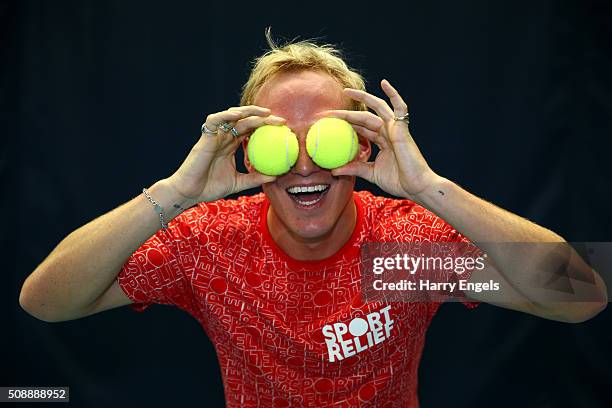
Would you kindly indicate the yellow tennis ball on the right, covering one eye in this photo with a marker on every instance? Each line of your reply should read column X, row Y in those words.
column 331, row 142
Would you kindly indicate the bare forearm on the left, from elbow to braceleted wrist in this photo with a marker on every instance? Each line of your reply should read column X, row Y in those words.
column 85, row 263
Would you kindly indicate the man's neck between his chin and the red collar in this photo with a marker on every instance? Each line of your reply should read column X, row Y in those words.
column 317, row 248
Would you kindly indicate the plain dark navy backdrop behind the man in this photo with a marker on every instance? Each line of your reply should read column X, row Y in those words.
column 101, row 98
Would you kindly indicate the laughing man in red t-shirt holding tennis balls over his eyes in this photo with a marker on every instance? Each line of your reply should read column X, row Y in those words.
column 274, row 278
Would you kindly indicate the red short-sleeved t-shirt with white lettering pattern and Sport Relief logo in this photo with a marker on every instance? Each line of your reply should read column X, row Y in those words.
column 269, row 315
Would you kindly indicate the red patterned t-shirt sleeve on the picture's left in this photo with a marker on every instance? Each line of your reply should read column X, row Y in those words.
column 159, row 270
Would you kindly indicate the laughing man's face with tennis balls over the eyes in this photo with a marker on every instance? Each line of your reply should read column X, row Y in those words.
column 298, row 97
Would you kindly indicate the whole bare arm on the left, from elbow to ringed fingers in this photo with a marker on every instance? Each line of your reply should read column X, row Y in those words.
column 79, row 277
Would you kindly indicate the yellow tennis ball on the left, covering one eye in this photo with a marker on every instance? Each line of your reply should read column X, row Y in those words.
column 273, row 149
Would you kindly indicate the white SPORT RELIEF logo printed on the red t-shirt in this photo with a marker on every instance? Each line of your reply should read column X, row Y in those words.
column 345, row 341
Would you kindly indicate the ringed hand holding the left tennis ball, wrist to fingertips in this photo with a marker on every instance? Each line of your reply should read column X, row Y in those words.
column 209, row 171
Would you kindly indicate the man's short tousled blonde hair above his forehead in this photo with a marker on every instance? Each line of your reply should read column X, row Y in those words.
column 298, row 56
